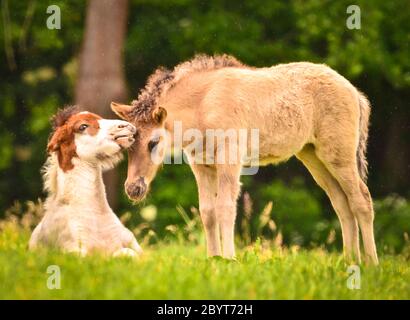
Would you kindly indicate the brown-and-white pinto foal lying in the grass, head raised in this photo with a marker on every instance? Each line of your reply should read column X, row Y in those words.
column 77, row 215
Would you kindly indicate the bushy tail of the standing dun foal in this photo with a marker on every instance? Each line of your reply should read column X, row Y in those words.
column 364, row 106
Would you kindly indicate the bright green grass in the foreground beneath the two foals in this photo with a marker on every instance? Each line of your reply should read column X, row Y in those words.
column 171, row 271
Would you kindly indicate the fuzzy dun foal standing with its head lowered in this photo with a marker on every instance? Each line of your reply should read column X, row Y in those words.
column 302, row 109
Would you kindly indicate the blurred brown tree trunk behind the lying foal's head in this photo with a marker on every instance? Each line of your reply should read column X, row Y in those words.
column 101, row 73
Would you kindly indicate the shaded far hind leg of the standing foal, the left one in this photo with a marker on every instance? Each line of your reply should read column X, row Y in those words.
column 327, row 182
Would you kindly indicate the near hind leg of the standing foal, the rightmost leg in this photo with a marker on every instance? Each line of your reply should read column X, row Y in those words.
column 345, row 171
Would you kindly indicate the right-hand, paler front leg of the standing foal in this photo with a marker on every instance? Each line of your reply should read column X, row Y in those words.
column 228, row 192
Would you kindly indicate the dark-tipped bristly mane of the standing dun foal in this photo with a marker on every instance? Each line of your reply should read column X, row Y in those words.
column 163, row 79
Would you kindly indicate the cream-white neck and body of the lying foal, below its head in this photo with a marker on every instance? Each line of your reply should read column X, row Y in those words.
column 77, row 215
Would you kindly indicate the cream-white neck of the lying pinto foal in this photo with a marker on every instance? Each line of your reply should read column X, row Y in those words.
column 81, row 186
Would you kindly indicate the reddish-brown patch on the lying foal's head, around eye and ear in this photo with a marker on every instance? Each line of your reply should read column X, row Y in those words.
column 63, row 139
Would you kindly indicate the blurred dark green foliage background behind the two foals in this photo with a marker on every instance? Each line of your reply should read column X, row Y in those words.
column 40, row 68
